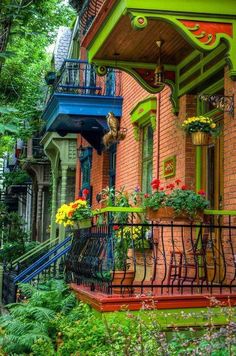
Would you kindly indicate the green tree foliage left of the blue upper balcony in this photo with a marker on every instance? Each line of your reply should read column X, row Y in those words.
column 33, row 28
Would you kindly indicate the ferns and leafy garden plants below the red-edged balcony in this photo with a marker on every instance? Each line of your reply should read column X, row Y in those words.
column 70, row 328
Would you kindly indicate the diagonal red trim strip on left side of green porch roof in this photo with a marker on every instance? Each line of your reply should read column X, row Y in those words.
column 98, row 21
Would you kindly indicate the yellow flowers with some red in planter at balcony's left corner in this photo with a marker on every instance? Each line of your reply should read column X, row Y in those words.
column 75, row 214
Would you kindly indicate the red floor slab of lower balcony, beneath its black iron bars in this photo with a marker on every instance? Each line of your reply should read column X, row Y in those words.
column 159, row 300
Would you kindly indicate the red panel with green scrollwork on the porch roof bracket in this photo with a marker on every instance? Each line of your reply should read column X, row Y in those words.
column 208, row 28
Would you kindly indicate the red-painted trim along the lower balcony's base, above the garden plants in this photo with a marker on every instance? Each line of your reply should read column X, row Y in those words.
column 107, row 303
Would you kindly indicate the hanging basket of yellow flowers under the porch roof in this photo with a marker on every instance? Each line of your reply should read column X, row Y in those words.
column 200, row 128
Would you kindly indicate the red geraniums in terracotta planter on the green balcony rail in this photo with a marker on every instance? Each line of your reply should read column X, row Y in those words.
column 174, row 201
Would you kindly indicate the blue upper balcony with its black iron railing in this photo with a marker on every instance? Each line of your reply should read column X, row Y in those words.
column 81, row 100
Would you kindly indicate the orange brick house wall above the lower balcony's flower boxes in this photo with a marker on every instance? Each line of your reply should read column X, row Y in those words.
column 169, row 140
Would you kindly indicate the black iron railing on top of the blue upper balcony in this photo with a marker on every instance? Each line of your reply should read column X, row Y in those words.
column 79, row 77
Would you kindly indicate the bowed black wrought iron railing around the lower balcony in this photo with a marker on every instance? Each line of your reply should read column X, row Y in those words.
column 156, row 258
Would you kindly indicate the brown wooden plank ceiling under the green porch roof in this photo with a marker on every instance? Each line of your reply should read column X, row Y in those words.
column 126, row 44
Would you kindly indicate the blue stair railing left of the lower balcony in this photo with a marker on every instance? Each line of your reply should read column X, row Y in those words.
column 23, row 275
